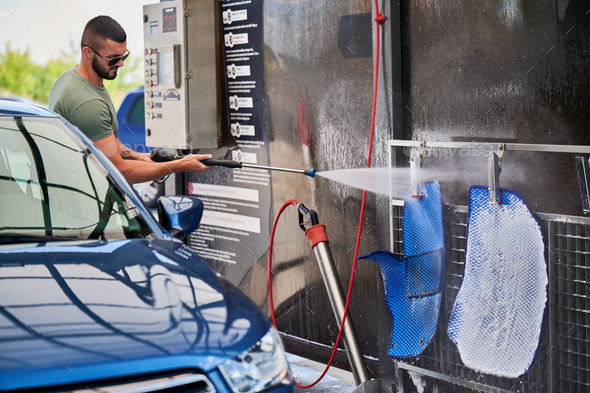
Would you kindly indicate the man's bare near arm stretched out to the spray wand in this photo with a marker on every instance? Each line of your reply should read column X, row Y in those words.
column 141, row 171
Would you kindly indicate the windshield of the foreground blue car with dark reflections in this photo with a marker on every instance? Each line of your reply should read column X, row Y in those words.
column 52, row 186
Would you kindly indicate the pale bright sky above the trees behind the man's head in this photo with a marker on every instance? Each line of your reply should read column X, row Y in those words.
column 47, row 27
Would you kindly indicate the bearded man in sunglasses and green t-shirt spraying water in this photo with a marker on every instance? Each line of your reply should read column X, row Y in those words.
column 80, row 96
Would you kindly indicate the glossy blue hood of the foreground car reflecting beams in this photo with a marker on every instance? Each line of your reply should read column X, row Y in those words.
column 76, row 311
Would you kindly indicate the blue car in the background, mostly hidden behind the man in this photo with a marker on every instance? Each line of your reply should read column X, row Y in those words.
column 131, row 119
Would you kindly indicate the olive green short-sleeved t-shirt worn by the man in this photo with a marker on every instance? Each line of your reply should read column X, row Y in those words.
column 84, row 105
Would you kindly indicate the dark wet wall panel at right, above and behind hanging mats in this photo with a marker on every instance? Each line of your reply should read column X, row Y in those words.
column 506, row 71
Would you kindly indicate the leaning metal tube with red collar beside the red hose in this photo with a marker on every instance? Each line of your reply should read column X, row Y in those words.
column 319, row 242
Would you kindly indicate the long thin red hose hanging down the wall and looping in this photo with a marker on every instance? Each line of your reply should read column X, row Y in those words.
column 378, row 19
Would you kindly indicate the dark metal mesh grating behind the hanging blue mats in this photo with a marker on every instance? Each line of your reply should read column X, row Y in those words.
column 563, row 359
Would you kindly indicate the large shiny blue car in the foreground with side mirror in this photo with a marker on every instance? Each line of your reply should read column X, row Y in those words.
column 96, row 295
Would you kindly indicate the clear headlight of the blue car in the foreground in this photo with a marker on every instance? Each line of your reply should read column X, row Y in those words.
column 261, row 367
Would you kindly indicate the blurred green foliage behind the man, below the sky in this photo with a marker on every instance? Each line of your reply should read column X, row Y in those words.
column 19, row 76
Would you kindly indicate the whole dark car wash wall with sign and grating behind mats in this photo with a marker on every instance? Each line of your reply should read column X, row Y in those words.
column 502, row 71
